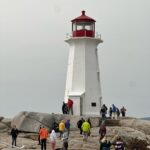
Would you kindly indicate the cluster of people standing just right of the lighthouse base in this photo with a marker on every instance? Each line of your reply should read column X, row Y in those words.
column 114, row 112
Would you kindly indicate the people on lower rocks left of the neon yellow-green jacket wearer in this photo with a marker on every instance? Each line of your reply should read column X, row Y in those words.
column 44, row 135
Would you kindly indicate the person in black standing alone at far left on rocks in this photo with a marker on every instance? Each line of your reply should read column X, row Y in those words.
column 14, row 134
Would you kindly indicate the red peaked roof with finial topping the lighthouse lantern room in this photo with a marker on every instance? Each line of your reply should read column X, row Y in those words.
column 84, row 18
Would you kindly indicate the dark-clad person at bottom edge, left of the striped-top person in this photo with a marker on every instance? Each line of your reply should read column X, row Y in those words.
column 105, row 144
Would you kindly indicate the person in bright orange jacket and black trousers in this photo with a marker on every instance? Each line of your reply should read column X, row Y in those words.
column 43, row 137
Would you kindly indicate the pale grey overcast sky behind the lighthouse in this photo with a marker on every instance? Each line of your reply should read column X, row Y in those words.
column 34, row 56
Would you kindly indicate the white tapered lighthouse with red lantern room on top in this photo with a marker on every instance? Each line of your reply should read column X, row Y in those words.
column 83, row 74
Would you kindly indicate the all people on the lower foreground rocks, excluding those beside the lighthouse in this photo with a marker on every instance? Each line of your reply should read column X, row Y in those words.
column 64, row 128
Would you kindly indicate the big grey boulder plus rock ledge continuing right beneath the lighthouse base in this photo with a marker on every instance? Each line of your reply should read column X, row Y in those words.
column 31, row 121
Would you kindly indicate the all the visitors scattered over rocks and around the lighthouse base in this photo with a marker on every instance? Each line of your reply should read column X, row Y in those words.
column 84, row 126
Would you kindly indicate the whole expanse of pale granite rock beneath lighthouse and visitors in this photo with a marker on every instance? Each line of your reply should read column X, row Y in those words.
column 135, row 133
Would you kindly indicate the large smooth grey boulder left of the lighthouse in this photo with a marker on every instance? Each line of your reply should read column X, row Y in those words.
column 31, row 121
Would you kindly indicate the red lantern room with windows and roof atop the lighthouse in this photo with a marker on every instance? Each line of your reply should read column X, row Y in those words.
column 83, row 26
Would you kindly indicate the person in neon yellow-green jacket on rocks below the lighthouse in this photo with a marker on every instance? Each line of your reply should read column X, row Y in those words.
column 86, row 129
